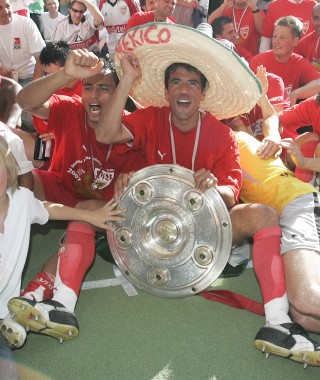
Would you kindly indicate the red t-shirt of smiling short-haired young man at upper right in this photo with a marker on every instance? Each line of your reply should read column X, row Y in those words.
column 295, row 73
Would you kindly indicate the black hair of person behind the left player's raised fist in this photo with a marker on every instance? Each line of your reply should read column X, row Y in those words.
column 55, row 52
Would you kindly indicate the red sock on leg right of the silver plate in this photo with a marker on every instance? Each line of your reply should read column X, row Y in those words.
column 268, row 263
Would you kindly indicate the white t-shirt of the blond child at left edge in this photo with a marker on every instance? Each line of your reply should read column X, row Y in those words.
column 24, row 210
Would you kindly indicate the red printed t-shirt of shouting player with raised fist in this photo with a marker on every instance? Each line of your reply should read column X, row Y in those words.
column 78, row 158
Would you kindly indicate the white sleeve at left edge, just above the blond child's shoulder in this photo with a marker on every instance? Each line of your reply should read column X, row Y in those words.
column 16, row 145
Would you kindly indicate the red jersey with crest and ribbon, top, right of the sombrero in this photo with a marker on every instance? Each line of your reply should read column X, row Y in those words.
column 243, row 21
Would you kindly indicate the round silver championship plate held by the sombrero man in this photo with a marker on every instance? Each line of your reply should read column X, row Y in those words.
column 175, row 241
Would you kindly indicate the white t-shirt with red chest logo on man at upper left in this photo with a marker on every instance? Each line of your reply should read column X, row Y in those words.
column 20, row 41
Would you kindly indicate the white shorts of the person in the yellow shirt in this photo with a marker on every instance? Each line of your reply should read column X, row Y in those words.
column 300, row 224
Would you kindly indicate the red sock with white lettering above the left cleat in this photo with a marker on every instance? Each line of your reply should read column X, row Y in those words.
column 40, row 288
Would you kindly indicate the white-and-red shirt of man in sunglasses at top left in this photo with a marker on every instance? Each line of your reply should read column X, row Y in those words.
column 82, row 36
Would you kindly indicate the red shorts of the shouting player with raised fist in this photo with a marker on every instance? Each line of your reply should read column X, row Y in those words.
column 55, row 191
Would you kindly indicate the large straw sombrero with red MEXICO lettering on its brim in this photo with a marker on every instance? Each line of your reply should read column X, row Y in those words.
column 233, row 87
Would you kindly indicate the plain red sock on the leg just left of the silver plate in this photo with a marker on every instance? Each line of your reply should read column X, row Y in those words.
column 76, row 255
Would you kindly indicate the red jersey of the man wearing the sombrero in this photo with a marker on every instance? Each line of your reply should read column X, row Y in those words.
column 217, row 149
